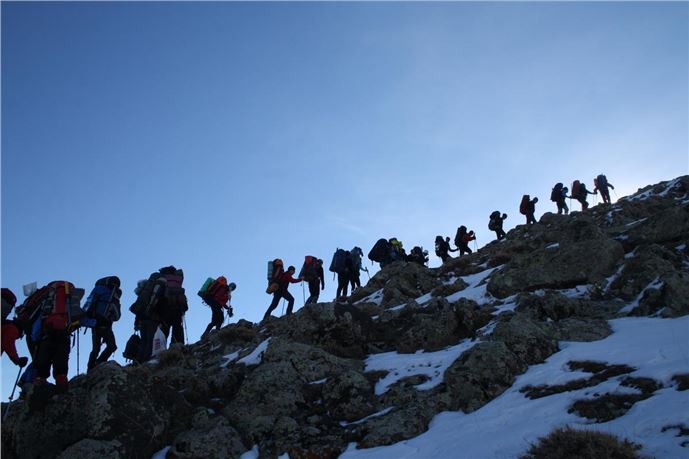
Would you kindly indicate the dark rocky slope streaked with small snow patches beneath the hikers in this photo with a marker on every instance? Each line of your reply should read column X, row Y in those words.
column 312, row 383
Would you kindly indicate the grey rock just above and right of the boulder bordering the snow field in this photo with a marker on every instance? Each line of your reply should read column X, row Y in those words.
column 528, row 340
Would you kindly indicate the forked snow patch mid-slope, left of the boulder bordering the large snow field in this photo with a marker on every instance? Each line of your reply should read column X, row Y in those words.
column 431, row 364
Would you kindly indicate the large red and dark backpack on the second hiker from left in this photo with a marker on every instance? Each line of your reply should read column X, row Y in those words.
column 60, row 306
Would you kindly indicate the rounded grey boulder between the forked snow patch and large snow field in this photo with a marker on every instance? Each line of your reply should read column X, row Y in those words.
column 481, row 374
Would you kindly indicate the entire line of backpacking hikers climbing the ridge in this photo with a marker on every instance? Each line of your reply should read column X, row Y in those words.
column 49, row 315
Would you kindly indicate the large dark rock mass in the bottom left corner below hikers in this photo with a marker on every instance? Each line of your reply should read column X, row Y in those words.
column 108, row 404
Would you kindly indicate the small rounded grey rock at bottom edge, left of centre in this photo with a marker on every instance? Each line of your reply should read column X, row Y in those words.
column 210, row 437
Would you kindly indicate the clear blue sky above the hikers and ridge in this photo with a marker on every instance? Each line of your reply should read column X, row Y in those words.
column 217, row 136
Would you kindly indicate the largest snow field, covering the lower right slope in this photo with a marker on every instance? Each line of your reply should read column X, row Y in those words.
column 506, row 427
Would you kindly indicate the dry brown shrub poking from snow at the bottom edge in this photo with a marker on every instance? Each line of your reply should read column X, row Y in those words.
column 568, row 443
